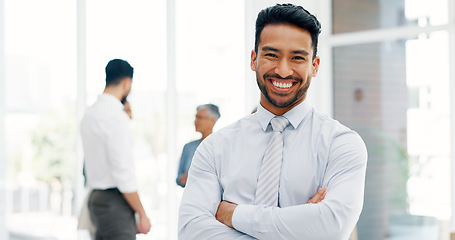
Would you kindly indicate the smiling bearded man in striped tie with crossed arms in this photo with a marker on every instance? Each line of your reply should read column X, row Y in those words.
column 287, row 171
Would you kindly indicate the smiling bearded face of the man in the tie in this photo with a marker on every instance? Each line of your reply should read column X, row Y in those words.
column 284, row 65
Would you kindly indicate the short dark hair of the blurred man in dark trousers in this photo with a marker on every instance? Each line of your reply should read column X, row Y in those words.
column 116, row 70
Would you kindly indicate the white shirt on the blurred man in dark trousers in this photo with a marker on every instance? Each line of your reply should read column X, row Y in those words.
column 106, row 138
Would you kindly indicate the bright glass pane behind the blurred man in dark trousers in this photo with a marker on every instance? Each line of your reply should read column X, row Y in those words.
column 136, row 32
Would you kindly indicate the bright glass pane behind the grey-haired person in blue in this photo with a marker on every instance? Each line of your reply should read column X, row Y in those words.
column 209, row 64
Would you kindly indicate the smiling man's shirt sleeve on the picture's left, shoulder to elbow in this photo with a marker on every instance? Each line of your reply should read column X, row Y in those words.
column 201, row 199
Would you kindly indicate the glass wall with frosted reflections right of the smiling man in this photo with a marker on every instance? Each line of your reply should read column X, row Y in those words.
column 395, row 93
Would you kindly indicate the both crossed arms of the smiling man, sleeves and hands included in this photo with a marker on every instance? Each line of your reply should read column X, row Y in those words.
column 205, row 215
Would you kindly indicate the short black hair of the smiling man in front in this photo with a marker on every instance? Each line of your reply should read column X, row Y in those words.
column 290, row 14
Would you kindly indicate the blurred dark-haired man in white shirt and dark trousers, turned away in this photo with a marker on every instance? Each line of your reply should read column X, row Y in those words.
column 109, row 163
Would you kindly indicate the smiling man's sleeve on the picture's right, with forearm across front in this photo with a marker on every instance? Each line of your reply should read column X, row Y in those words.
column 332, row 219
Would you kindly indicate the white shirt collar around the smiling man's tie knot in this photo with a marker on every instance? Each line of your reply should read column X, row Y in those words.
column 295, row 115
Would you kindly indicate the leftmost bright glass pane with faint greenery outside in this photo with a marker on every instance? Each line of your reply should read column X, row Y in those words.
column 40, row 117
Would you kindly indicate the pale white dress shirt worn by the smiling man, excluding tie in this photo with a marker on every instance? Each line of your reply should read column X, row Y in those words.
column 318, row 151
